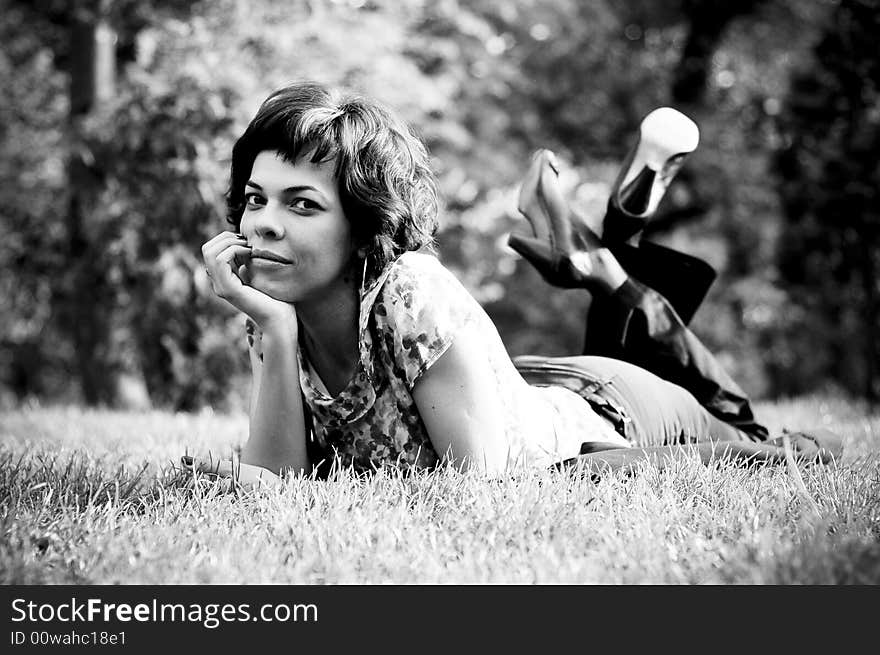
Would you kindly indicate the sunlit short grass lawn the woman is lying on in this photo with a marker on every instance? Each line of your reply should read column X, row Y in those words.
column 93, row 497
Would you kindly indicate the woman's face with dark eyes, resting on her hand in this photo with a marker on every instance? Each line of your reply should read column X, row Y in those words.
column 293, row 220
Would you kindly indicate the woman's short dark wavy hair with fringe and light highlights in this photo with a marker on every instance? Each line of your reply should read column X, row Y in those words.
column 386, row 185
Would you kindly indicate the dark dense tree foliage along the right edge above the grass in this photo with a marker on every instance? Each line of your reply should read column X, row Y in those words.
column 829, row 179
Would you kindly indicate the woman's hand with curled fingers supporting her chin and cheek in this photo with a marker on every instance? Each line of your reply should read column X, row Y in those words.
column 225, row 256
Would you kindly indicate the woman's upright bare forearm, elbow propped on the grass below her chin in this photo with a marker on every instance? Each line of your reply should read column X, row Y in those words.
column 277, row 429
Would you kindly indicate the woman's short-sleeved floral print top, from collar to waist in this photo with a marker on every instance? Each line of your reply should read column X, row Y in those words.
column 409, row 316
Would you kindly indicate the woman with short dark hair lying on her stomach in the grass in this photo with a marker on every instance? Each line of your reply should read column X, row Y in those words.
column 366, row 351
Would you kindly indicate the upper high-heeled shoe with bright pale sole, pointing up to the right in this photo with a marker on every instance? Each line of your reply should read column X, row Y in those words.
column 666, row 137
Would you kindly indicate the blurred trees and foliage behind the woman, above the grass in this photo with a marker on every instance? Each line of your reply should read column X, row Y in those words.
column 117, row 118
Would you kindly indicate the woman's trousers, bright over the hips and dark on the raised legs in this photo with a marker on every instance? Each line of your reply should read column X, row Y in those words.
column 642, row 361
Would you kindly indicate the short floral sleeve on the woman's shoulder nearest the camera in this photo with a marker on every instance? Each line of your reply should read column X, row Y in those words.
column 421, row 310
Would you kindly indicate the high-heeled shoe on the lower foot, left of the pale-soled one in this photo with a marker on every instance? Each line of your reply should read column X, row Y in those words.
column 561, row 247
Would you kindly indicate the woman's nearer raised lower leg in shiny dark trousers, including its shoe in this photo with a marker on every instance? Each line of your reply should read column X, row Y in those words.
column 630, row 321
